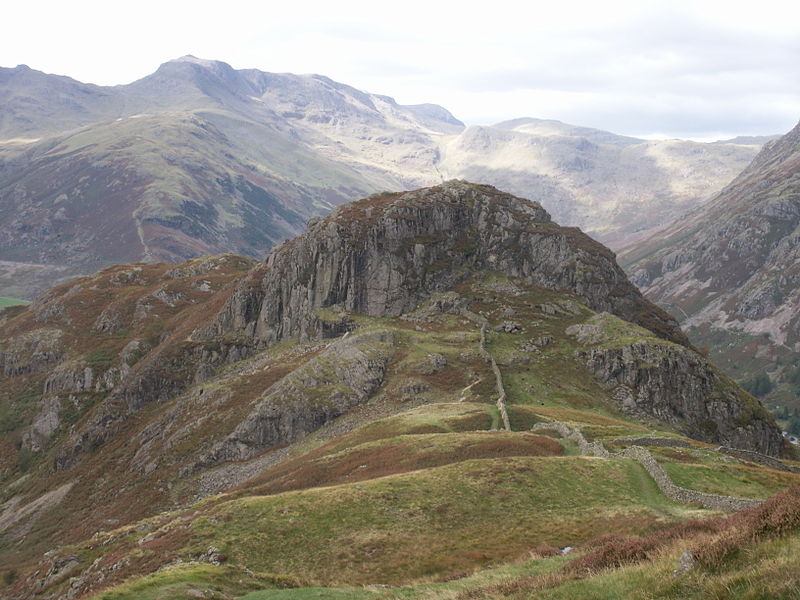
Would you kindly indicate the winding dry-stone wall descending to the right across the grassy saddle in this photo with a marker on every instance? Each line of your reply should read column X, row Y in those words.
column 656, row 471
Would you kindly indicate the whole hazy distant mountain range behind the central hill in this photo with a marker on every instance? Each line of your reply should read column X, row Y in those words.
column 201, row 158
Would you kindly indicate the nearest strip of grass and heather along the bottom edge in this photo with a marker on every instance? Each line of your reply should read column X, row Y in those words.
column 766, row 570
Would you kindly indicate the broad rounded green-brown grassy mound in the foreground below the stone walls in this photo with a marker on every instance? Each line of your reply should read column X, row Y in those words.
column 434, row 522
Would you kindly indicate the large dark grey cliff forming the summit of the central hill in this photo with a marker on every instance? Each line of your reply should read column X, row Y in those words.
column 383, row 255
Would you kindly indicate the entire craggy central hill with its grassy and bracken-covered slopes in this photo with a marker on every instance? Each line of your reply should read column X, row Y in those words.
column 357, row 371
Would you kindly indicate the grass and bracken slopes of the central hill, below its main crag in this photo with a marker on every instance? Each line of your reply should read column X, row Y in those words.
column 415, row 487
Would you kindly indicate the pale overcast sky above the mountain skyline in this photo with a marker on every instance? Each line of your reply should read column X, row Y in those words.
column 705, row 69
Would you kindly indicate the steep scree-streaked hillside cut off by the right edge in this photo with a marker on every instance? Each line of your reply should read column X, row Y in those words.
column 730, row 271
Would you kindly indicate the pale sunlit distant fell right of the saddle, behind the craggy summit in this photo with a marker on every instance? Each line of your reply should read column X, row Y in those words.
column 604, row 183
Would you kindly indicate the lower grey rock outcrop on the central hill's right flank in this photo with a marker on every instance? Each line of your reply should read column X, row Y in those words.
column 679, row 387
